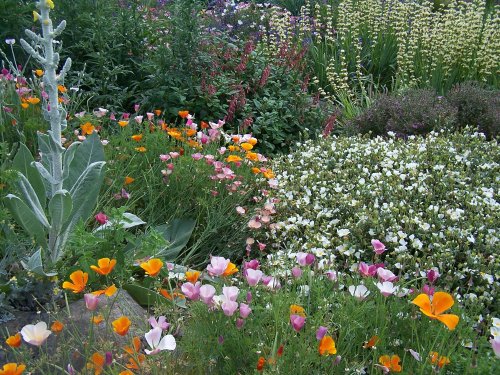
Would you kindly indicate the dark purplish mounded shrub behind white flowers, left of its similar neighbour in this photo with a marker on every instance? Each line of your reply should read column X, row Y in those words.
column 416, row 111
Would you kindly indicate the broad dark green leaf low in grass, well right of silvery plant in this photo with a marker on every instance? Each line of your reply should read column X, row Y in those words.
column 177, row 233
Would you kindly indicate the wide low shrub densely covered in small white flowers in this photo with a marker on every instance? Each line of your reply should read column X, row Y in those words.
column 433, row 201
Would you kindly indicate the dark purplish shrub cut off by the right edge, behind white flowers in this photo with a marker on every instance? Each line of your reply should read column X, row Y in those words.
column 477, row 106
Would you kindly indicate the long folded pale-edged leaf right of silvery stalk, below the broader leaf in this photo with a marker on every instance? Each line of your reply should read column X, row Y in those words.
column 84, row 196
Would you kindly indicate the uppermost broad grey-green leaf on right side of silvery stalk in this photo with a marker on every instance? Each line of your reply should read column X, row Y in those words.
column 89, row 151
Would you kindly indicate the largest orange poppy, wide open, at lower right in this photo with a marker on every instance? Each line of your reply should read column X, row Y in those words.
column 441, row 301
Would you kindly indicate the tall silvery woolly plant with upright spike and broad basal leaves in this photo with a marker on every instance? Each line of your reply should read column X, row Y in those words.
column 61, row 189
